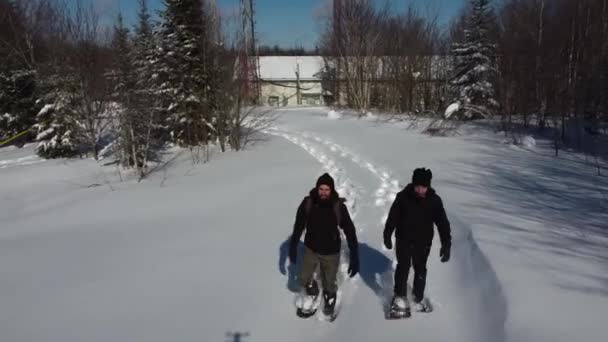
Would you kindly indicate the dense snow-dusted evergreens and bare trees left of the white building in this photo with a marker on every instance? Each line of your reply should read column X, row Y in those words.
column 80, row 87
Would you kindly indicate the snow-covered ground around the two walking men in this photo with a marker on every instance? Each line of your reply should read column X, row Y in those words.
column 196, row 251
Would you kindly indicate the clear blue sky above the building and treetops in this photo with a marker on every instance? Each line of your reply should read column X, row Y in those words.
column 282, row 22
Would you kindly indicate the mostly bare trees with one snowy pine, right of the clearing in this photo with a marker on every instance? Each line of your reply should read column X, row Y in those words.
column 534, row 62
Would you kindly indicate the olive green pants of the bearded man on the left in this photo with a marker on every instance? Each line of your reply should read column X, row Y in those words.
column 329, row 265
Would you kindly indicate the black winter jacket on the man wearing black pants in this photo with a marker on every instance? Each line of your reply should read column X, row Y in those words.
column 412, row 218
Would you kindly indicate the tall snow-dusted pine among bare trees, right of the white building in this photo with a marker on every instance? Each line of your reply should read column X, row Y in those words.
column 475, row 64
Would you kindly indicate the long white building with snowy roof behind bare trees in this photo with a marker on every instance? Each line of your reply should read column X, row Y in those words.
column 299, row 80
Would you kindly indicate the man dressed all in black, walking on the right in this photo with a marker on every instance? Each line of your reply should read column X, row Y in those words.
column 412, row 215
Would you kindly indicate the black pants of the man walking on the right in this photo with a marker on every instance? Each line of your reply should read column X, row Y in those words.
column 411, row 254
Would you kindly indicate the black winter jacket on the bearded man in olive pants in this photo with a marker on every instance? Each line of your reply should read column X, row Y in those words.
column 322, row 234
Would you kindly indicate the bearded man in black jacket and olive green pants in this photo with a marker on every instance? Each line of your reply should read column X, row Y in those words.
column 320, row 214
